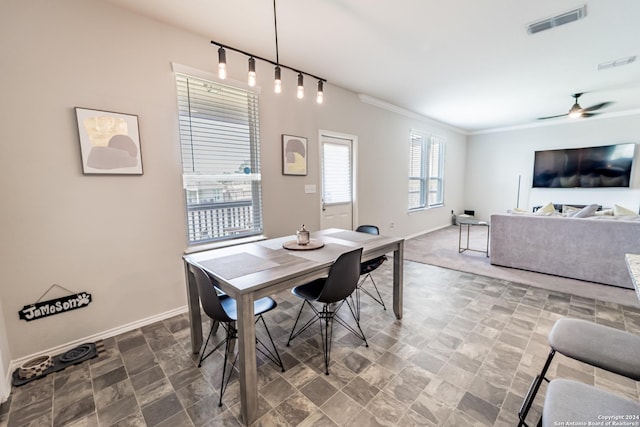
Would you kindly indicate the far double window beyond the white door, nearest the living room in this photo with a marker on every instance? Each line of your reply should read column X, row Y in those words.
column 426, row 171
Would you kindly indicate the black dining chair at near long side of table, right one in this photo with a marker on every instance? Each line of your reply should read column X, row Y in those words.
column 331, row 292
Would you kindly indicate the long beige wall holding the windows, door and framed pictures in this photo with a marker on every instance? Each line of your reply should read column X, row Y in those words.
column 121, row 238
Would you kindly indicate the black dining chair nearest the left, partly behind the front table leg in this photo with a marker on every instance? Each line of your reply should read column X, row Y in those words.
column 222, row 309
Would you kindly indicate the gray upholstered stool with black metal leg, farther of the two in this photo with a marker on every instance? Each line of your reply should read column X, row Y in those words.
column 601, row 346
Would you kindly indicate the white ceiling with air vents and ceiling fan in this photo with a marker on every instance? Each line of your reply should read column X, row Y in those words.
column 468, row 63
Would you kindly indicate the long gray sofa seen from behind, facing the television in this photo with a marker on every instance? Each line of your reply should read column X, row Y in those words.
column 591, row 249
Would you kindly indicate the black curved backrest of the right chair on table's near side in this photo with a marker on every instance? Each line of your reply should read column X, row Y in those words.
column 343, row 277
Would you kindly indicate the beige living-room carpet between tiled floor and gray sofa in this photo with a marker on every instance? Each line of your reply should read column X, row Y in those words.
column 440, row 248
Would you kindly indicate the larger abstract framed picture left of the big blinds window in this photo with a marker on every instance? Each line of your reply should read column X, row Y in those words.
column 109, row 142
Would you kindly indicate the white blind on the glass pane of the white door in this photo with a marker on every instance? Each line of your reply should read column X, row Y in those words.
column 336, row 173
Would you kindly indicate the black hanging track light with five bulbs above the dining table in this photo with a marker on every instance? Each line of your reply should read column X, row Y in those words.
column 251, row 77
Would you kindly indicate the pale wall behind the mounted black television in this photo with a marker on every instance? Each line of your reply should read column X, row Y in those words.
column 495, row 160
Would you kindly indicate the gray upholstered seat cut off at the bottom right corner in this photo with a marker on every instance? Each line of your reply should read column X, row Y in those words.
column 572, row 403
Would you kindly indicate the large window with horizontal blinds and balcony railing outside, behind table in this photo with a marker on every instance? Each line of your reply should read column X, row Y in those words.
column 220, row 159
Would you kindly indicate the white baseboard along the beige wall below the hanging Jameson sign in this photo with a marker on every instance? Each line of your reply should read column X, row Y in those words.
column 15, row 364
